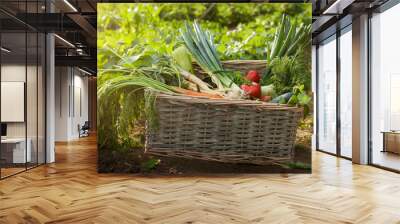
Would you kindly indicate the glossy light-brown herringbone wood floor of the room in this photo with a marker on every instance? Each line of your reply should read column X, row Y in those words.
column 71, row 191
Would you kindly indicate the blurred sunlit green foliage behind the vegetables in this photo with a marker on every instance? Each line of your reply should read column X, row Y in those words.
column 242, row 31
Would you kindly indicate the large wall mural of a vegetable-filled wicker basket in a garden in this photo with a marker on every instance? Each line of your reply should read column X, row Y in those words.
column 204, row 88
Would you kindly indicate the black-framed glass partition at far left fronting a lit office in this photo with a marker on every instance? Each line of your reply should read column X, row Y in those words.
column 22, row 77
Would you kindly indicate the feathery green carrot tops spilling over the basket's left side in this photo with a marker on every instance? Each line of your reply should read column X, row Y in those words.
column 121, row 96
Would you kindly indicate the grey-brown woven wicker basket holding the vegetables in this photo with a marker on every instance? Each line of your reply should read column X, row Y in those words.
column 235, row 131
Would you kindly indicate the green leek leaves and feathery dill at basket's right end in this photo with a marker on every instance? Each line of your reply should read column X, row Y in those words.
column 288, row 56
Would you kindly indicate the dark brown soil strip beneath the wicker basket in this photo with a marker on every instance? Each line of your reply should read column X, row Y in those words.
column 193, row 167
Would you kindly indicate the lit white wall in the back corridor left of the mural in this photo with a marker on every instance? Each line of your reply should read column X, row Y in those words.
column 71, row 102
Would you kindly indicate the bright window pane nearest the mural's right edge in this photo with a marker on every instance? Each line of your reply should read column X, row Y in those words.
column 327, row 96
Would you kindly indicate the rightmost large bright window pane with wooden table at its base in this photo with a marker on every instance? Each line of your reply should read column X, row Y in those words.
column 385, row 86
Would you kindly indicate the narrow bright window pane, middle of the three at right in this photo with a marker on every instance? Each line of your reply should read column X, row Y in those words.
column 346, row 94
